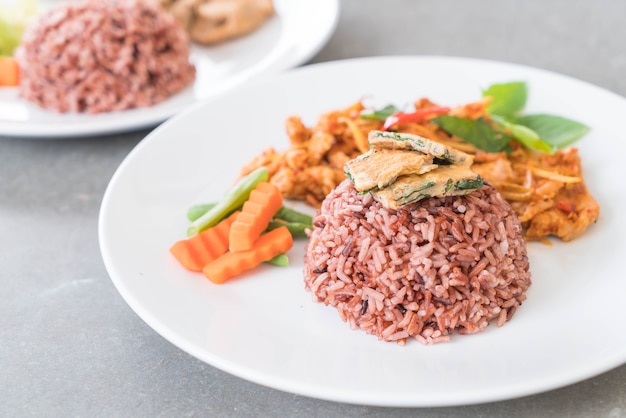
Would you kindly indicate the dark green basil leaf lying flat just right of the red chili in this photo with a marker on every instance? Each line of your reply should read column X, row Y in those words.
column 477, row 132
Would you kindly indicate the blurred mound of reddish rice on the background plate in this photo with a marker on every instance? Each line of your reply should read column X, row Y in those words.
column 103, row 55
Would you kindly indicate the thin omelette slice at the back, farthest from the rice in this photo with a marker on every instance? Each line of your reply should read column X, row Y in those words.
column 410, row 142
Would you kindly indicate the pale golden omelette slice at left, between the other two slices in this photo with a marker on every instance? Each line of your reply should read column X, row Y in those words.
column 378, row 168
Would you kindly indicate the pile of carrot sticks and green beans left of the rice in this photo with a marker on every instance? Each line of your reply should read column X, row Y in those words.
column 247, row 227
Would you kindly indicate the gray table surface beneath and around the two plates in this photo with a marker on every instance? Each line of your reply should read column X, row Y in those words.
column 70, row 345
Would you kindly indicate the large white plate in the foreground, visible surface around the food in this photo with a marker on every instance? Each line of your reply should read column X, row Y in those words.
column 265, row 328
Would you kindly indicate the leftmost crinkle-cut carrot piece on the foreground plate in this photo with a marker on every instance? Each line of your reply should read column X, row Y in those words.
column 197, row 251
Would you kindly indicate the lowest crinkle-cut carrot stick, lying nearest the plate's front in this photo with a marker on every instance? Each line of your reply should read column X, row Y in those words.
column 233, row 263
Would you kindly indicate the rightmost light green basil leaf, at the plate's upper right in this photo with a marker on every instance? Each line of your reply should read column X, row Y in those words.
column 557, row 131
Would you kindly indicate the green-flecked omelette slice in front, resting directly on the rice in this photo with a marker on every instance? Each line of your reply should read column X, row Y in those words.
column 446, row 180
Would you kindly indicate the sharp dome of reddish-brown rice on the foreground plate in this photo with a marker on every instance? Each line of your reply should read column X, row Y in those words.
column 425, row 271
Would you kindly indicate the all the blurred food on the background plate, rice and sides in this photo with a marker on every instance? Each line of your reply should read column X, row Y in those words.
column 89, row 56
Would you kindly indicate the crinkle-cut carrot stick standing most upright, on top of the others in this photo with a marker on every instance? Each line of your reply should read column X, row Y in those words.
column 257, row 212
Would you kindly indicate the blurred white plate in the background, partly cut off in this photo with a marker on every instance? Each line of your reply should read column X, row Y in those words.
column 292, row 37
